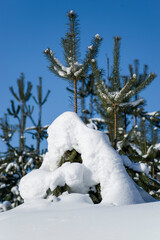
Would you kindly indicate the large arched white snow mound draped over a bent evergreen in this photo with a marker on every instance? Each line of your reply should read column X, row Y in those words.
column 101, row 164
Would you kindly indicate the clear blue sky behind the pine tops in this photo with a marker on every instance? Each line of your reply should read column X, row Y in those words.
column 28, row 27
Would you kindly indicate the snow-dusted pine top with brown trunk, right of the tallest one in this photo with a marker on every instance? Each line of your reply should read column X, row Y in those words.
column 114, row 99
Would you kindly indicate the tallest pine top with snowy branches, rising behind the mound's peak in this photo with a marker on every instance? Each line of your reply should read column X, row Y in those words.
column 73, row 71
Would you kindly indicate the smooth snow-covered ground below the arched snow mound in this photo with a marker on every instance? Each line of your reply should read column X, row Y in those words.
column 74, row 217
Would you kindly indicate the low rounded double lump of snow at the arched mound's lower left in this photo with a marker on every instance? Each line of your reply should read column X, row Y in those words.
column 35, row 184
